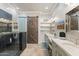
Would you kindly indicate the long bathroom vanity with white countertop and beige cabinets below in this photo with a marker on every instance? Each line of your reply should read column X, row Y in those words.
column 59, row 47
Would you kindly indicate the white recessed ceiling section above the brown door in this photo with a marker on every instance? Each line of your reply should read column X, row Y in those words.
column 35, row 7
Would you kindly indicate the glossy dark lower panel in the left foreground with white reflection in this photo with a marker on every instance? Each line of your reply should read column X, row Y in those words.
column 9, row 44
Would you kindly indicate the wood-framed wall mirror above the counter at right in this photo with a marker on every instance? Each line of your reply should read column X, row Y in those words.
column 72, row 20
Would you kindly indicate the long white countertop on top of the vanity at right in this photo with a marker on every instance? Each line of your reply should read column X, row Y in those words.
column 69, row 47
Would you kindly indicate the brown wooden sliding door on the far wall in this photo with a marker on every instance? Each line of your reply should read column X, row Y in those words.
column 32, row 29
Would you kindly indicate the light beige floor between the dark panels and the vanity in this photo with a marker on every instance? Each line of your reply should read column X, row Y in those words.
column 34, row 50
